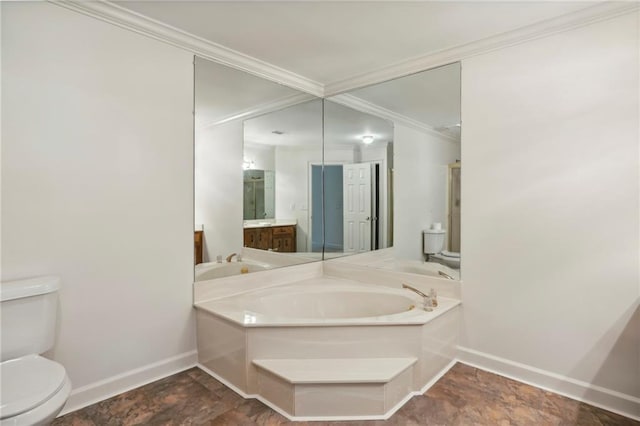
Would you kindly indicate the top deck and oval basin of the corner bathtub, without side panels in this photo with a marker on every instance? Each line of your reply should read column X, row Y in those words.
column 325, row 301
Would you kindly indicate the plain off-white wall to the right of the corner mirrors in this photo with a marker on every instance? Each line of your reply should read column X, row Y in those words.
column 550, row 217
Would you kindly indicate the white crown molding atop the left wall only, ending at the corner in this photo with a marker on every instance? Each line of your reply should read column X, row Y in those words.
column 138, row 23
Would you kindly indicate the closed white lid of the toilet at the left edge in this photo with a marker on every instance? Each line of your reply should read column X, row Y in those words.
column 27, row 382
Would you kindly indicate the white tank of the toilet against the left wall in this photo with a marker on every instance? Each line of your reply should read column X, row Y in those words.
column 28, row 316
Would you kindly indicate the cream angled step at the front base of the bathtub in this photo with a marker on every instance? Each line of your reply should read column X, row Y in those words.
column 309, row 389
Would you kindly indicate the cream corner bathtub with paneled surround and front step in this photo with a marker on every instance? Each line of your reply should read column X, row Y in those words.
column 315, row 345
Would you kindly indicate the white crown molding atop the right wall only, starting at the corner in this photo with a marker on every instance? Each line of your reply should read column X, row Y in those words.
column 593, row 14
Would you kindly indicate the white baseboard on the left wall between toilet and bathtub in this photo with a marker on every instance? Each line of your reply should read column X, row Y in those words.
column 99, row 391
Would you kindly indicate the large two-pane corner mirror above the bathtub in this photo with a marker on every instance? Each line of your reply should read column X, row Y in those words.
column 283, row 178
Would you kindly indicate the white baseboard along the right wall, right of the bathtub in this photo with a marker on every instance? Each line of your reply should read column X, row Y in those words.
column 617, row 402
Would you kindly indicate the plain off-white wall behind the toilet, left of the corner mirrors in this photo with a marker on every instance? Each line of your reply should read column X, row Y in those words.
column 97, row 187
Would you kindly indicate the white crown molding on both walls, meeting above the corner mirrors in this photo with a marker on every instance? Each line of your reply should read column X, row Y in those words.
column 133, row 21
